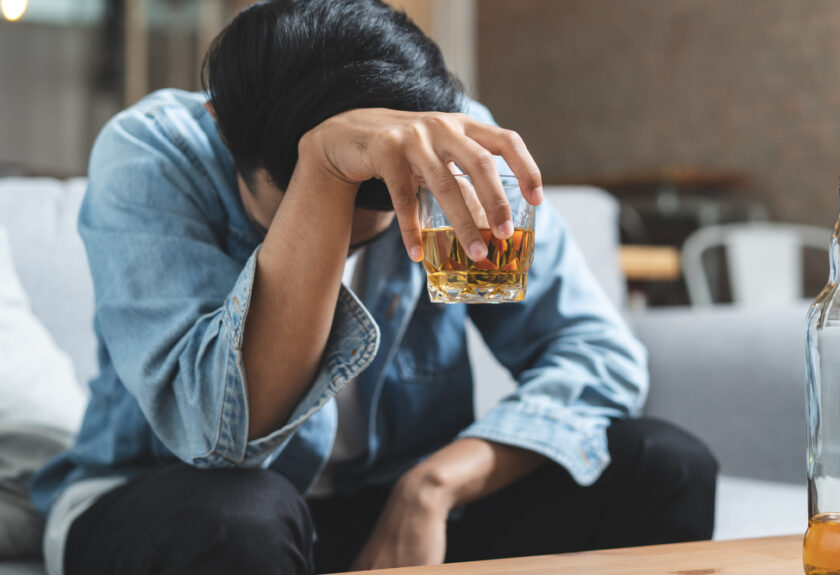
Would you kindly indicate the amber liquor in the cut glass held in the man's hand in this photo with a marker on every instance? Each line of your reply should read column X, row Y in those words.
column 455, row 278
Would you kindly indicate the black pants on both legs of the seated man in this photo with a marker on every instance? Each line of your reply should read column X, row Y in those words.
column 659, row 488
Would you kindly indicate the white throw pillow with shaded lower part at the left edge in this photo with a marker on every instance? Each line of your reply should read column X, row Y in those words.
column 41, row 407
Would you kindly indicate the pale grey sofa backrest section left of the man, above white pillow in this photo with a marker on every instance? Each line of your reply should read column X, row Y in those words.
column 40, row 218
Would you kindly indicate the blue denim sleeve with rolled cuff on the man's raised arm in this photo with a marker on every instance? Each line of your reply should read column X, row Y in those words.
column 171, row 303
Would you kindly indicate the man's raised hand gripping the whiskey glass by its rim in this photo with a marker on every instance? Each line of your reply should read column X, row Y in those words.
column 401, row 147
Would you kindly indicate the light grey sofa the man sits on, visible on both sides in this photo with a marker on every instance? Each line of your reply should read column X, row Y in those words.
column 733, row 377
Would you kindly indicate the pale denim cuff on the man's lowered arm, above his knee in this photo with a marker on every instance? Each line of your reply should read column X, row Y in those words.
column 577, row 443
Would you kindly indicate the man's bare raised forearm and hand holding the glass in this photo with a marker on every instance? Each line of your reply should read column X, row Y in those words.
column 288, row 323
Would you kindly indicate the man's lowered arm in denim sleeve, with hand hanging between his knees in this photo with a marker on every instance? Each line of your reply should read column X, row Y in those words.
column 577, row 366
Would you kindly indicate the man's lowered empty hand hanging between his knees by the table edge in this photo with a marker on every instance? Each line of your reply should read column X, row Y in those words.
column 410, row 531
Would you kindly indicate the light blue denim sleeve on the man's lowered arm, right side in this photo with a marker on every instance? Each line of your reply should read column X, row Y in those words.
column 576, row 362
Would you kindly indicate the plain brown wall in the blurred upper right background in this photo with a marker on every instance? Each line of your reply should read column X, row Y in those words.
column 599, row 87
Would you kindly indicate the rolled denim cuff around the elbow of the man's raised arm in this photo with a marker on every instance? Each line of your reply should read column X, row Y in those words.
column 352, row 344
